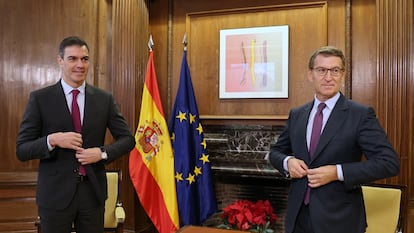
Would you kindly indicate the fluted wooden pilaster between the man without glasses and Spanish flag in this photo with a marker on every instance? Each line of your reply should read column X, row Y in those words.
column 129, row 54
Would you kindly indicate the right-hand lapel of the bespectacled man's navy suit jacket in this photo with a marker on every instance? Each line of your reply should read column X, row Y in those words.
column 333, row 125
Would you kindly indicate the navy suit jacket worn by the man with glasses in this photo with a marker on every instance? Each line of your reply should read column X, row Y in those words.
column 351, row 131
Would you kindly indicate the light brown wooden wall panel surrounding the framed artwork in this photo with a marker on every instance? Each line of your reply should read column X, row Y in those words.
column 309, row 27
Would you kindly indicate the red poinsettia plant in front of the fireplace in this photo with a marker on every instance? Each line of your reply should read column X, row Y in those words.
column 246, row 215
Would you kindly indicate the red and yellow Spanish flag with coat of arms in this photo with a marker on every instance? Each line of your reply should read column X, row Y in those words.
column 151, row 162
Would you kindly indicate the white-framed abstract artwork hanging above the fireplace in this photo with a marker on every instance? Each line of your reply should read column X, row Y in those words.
column 254, row 62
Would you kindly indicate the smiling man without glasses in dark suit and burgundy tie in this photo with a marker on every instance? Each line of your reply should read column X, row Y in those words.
column 72, row 186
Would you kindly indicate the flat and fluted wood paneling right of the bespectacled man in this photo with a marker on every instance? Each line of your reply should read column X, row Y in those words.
column 382, row 68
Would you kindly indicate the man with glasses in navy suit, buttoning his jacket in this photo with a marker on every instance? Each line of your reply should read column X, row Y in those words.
column 325, row 193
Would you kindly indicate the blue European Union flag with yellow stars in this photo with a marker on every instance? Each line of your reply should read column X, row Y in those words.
column 195, row 194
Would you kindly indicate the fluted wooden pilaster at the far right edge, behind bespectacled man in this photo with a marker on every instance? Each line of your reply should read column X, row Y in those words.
column 395, row 81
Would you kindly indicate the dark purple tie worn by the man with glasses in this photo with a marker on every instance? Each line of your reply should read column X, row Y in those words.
column 316, row 133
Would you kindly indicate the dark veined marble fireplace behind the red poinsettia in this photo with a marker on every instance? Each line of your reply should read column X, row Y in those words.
column 238, row 155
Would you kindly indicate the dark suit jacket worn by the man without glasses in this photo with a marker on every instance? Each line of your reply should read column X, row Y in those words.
column 47, row 112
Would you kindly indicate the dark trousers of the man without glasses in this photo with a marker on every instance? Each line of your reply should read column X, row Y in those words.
column 84, row 213
